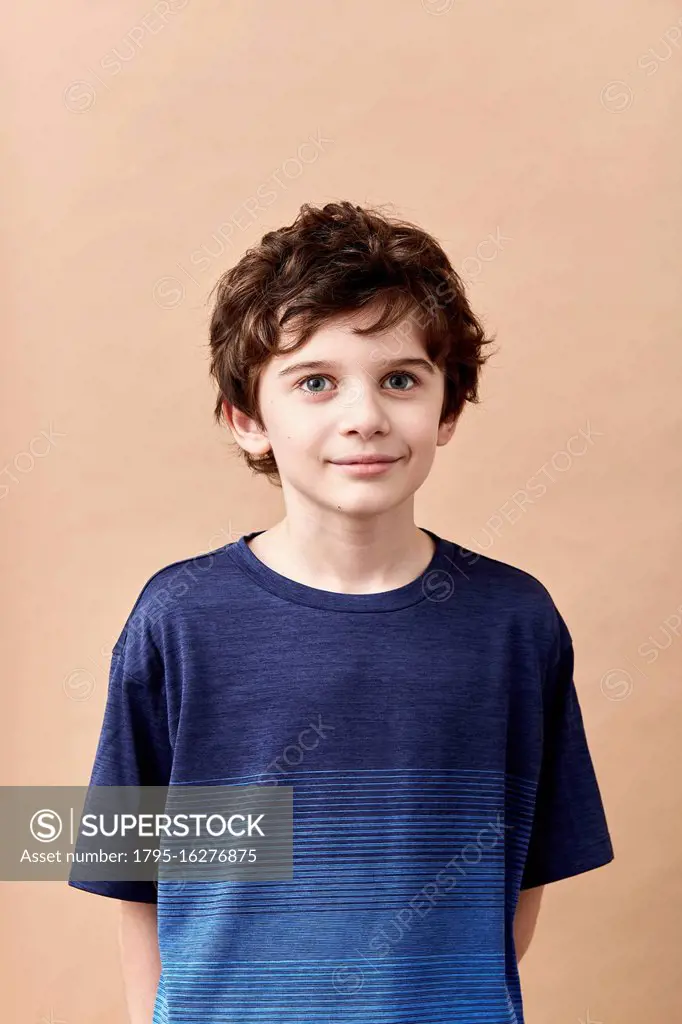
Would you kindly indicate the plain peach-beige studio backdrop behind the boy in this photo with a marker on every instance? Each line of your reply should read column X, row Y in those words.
column 141, row 141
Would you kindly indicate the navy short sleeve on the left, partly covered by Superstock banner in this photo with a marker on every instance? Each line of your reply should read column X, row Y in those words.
column 135, row 747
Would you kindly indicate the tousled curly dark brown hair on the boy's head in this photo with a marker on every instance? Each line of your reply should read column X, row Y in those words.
column 333, row 262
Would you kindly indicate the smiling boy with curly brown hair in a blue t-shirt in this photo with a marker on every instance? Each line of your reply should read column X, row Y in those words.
column 417, row 697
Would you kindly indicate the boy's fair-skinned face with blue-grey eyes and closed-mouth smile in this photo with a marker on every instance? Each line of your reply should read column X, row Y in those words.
column 366, row 396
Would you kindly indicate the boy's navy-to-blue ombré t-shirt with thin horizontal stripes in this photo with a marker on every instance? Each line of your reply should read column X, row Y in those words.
column 437, row 751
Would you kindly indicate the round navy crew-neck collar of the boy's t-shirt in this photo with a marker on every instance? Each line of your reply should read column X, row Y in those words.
column 433, row 583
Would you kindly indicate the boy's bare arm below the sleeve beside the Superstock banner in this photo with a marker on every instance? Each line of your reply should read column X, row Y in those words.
column 141, row 963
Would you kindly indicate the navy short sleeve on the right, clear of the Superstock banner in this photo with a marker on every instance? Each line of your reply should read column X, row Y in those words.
column 570, row 834
